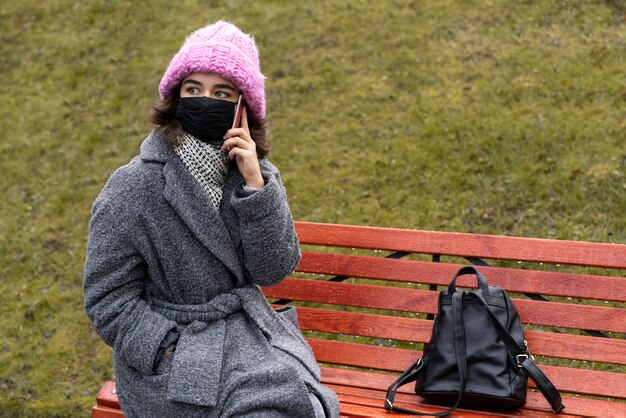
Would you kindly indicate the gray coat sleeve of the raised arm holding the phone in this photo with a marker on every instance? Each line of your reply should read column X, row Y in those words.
column 270, row 243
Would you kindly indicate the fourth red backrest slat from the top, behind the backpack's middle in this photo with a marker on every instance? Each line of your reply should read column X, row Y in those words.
column 575, row 347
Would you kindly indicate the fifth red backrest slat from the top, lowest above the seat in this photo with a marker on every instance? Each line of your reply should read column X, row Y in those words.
column 587, row 382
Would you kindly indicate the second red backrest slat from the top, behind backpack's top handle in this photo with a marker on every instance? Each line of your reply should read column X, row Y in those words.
column 510, row 279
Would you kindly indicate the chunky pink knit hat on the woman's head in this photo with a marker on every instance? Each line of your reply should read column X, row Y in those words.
column 223, row 49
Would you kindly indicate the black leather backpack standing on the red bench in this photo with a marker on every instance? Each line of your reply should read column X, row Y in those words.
column 477, row 355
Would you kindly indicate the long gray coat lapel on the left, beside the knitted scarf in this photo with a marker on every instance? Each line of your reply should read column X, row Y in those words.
column 192, row 204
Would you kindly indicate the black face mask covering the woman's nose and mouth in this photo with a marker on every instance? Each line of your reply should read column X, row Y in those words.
column 205, row 118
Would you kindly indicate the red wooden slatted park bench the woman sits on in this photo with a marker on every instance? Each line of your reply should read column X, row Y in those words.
column 367, row 296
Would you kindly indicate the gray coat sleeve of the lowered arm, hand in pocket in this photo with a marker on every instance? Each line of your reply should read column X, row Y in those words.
column 113, row 287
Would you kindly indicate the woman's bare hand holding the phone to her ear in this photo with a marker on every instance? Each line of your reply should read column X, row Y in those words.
column 240, row 146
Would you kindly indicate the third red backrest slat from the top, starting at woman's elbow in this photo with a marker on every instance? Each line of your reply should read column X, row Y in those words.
column 421, row 301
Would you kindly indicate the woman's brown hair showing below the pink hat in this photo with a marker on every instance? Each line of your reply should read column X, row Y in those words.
column 163, row 119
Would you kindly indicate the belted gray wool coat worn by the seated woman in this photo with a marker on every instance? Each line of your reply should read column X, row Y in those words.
column 159, row 256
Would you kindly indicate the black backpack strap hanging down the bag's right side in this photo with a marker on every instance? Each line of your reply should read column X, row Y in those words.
column 524, row 361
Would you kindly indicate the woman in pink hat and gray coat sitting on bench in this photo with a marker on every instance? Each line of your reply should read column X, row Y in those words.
column 181, row 237
